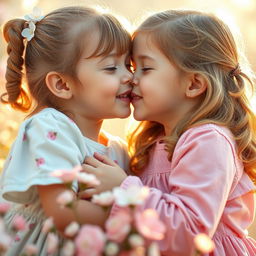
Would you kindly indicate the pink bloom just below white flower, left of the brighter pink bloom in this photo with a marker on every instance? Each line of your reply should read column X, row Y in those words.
column 118, row 226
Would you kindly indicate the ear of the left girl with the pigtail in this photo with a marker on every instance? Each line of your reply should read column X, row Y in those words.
column 58, row 85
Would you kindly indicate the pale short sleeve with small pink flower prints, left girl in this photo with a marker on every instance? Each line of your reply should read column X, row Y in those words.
column 46, row 142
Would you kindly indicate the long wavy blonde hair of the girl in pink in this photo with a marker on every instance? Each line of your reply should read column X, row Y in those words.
column 200, row 43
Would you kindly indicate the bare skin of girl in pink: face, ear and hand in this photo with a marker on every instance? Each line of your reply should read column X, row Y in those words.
column 161, row 93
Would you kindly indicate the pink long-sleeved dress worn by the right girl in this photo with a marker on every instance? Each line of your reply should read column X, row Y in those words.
column 203, row 189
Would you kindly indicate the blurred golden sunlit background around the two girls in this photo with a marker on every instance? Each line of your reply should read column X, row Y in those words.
column 238, row 14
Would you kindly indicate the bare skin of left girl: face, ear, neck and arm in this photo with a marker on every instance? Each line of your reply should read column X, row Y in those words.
column 92, row 97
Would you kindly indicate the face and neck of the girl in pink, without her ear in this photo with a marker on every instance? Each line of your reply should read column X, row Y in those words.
column 160, row 84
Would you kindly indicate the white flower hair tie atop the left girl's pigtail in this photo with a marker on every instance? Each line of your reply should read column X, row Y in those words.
column 32, row 19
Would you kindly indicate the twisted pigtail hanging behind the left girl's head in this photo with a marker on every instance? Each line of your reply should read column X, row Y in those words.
column 16, row 95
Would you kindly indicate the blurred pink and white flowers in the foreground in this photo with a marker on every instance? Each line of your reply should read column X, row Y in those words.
column 131, row 232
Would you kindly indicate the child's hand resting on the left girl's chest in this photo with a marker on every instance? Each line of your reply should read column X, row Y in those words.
column 106, row 171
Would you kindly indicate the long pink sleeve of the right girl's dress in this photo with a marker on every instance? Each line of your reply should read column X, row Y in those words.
column 203, row 170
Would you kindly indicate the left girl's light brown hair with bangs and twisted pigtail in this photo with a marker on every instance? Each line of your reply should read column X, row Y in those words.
column 57, row 46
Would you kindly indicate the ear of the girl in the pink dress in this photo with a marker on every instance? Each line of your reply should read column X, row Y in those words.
column 197, row 86
